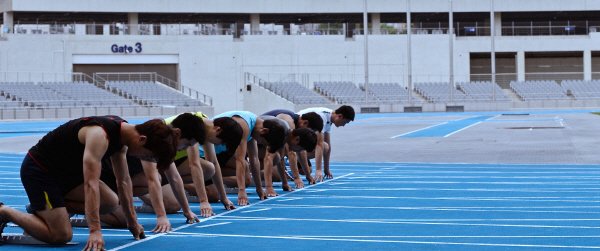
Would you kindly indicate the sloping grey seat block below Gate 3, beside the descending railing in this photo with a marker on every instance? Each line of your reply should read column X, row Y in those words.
column 151, row 93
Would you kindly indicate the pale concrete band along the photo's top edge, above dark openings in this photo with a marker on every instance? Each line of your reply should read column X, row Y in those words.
column 291, row 6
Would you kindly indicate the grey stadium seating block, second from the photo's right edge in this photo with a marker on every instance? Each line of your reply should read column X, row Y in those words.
column 538, row 90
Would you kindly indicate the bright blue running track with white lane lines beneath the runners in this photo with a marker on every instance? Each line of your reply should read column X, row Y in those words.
column 383, row 206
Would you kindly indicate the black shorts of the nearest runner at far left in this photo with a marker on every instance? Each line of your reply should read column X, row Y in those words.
column 43, row 190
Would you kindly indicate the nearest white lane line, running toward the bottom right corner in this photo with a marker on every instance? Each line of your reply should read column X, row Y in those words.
column 392, row 241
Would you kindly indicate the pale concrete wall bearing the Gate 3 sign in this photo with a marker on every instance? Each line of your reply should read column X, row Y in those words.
column 214, row 65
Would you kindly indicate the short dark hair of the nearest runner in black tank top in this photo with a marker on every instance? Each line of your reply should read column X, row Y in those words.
column 160, row 140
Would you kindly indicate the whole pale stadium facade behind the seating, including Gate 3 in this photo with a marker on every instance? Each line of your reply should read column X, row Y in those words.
column 227, row 50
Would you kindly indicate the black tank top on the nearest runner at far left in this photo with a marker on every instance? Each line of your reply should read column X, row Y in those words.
column 61, row 153
